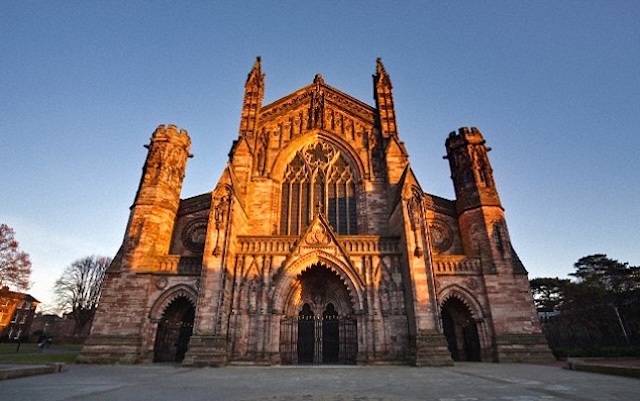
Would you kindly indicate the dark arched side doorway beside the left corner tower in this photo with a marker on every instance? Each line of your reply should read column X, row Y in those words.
column 174, row 331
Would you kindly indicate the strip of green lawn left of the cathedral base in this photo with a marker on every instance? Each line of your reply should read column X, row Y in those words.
column 30, row 354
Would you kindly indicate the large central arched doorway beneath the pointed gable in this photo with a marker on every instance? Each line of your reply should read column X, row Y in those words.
column 319, row 328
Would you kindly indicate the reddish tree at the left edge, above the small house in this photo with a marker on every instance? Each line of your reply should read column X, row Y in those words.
column 15, row 266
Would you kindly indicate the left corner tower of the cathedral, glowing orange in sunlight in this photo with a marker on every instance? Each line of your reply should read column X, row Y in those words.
column 118, row 332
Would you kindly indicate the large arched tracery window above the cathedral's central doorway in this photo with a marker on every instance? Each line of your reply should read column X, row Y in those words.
column 318, row 178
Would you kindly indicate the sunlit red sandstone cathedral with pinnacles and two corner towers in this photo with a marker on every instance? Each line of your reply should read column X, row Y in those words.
column 317, row 245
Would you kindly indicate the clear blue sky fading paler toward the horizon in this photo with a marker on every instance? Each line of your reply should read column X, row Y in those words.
column 554, row 86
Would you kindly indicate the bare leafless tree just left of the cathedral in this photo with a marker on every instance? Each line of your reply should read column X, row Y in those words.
column 78, row 289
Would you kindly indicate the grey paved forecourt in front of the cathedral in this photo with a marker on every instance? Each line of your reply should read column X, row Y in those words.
column 464, row 382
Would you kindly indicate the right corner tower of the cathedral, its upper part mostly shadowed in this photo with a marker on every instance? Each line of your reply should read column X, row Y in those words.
column 516, row 335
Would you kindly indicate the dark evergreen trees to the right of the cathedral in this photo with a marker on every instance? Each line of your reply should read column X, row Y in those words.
column 599, row 308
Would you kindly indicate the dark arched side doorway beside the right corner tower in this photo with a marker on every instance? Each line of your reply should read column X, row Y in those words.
column 460, row 330
